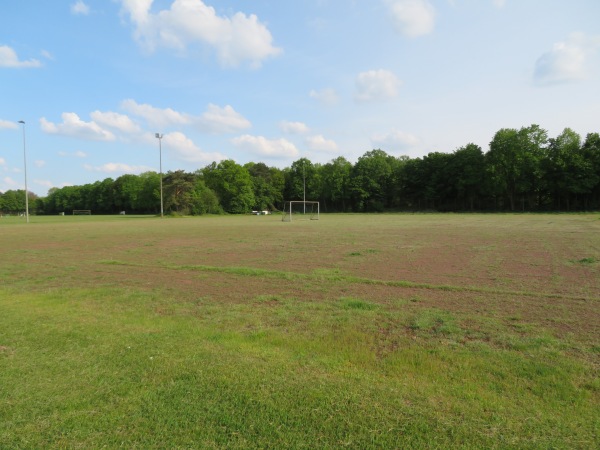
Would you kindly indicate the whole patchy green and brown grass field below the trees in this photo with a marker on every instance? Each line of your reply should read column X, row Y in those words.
column 358, row 331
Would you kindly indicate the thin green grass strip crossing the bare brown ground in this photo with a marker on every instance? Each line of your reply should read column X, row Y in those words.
column 336, row 276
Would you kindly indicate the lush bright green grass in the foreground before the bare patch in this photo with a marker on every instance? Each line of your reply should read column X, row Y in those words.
column 98, row 368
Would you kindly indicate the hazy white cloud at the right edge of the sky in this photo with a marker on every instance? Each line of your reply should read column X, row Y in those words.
column 567, row 61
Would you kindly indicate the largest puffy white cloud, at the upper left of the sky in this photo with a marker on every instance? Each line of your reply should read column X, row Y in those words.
column 235, row 39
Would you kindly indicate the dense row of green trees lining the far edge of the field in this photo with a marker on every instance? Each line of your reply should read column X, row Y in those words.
column 523, row 170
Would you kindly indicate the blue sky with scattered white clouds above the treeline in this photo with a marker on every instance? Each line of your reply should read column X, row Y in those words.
column 276, row 80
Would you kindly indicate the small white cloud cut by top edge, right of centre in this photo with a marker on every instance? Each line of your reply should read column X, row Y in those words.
column 412, row 18
